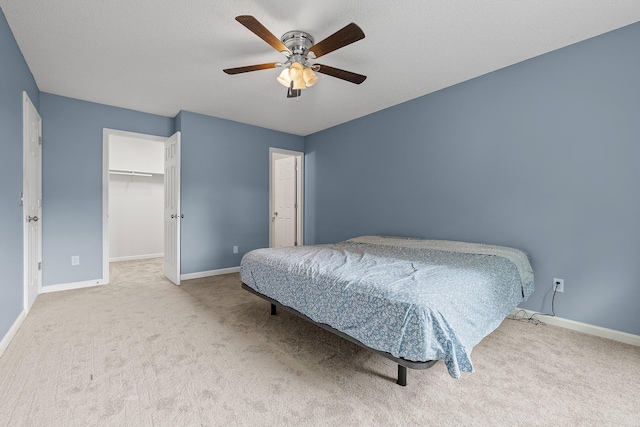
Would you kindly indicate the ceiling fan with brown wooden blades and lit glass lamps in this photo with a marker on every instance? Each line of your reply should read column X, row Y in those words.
column 299, row 48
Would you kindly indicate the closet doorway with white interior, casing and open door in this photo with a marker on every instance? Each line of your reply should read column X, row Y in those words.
column 141, row 199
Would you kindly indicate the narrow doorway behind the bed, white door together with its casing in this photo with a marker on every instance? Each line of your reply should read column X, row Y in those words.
column 286, row 197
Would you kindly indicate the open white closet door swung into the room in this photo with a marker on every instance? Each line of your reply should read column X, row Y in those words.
column 172, row 214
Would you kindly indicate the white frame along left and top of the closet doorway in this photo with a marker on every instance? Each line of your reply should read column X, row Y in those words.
column 106, row 134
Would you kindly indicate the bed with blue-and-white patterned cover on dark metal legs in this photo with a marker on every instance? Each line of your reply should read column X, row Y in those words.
column 414, row 301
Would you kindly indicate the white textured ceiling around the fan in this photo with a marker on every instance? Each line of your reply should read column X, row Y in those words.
column 163, row 56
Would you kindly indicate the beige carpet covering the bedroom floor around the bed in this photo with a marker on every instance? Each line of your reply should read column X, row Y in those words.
column 143, row 352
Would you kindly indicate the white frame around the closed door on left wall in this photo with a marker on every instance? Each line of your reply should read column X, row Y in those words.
column 27, row 105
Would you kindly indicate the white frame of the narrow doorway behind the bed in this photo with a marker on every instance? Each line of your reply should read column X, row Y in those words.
column 275, row 153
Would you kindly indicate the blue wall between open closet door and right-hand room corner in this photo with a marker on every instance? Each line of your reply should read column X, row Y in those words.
column 225, row 189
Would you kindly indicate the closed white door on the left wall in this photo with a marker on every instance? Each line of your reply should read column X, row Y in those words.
column 32, row 201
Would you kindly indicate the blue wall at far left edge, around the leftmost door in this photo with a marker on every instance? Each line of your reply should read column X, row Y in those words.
column 15, row 78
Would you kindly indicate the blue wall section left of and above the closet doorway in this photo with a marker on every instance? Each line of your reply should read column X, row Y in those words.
column 72, row 181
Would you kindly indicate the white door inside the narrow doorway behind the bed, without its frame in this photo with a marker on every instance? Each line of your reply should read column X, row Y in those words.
column 284, row 202
